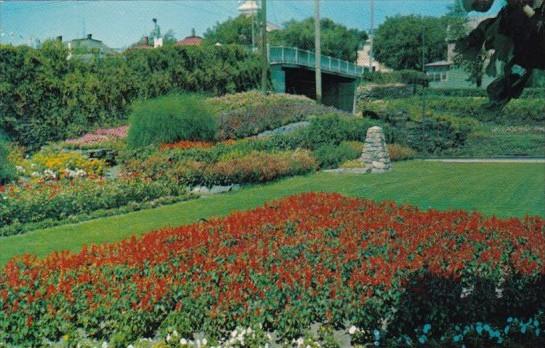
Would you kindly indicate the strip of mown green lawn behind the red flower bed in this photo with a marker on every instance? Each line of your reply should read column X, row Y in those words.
column 491, row 188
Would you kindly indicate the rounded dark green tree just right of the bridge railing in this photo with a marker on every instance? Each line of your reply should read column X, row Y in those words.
column 399, row 41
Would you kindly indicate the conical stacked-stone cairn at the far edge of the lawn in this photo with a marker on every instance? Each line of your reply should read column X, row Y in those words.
column 375, row 155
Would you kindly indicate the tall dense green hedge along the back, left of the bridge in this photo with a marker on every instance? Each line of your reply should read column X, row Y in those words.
column 45, row 97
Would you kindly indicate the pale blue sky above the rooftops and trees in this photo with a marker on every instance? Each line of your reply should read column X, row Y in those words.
column 120, row 23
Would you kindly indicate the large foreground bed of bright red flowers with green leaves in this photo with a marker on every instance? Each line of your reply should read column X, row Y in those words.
column 393, row 272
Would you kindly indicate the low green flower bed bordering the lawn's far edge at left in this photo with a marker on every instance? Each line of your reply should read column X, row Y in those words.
column 41, row 202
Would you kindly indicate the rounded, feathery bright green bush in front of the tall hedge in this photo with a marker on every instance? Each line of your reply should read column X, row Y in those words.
column 169, row 119
